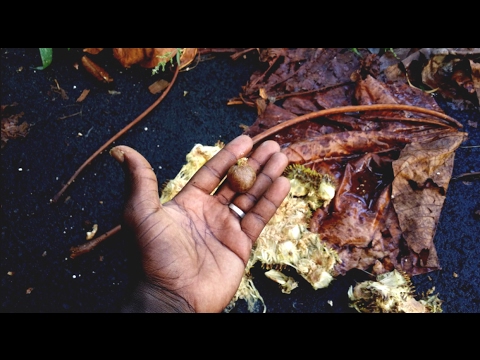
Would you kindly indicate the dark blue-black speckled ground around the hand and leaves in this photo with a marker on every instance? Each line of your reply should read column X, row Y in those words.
column 36, row 235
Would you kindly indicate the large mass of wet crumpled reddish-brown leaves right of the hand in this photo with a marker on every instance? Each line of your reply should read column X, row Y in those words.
column 392, row 168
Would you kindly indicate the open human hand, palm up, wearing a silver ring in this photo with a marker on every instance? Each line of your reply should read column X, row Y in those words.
column 194, row 248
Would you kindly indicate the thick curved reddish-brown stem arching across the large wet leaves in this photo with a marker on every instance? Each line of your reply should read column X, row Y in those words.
column 356, row 108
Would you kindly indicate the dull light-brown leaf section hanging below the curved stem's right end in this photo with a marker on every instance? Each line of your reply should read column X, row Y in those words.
column 421, row 177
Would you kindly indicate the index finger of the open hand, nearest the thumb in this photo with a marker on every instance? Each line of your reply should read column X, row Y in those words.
column 208, row 177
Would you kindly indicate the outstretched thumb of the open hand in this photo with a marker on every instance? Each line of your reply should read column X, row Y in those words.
column 141, row 186
